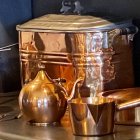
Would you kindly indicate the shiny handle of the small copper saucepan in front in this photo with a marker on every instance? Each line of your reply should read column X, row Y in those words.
column 129, row 104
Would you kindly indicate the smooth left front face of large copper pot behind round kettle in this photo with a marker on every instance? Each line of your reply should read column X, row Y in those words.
column 35, row 46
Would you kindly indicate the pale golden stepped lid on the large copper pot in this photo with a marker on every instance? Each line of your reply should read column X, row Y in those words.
column 72, row 23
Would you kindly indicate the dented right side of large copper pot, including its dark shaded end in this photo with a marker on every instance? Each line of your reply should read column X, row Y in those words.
column 103, row 60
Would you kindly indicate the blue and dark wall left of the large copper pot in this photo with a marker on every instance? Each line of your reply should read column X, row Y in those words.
column 12, row 12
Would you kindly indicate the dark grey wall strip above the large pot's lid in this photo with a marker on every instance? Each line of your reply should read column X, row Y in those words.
column 128, row 8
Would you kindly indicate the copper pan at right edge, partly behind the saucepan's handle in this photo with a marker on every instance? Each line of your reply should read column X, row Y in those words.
column 128, row 116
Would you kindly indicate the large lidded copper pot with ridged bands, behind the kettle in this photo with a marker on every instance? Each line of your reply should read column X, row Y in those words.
column 99, row 49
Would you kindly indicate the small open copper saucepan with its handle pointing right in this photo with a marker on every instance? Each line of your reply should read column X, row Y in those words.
column 94, row 116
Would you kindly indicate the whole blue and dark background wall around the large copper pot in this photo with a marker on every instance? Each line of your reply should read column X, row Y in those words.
column 13, row 12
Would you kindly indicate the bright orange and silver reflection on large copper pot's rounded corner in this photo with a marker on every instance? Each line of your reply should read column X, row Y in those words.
column 92, row 59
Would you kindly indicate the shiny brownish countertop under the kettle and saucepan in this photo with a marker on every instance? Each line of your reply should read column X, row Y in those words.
column 19, row 129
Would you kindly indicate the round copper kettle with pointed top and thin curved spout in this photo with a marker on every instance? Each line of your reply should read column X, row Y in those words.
column 44, row 100
